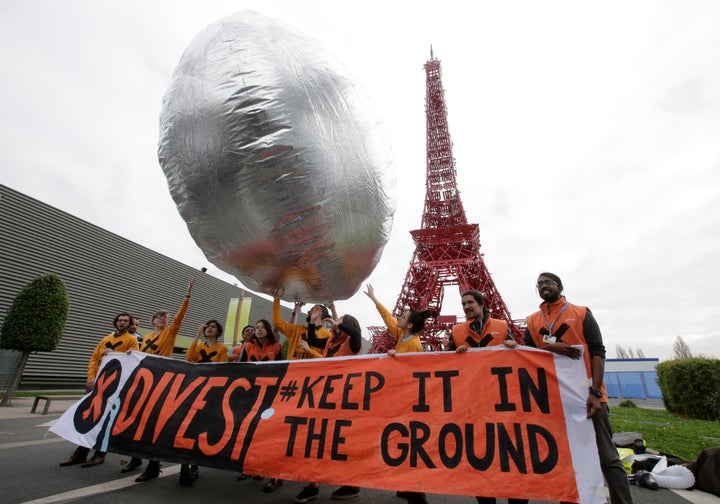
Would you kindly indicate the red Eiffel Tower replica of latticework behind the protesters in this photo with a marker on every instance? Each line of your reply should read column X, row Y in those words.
column 447, row 248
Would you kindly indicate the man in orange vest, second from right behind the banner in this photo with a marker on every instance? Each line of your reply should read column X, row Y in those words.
column 480, row 330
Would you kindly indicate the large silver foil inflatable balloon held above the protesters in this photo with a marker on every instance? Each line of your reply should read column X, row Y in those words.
column 276, row 161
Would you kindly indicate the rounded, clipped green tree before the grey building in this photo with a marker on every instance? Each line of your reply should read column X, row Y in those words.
column 34, row 323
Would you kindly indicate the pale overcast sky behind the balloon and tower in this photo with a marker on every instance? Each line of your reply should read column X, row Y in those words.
column 586, row 137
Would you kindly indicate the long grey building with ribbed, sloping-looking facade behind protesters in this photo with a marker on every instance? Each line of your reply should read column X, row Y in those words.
column 104, row 274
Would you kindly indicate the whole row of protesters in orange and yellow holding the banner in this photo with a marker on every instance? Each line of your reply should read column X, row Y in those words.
column 558, row 327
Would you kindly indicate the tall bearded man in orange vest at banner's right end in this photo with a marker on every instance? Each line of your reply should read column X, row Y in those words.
column 561, row 327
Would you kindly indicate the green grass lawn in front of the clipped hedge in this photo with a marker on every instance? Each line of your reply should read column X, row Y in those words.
column 665, row 432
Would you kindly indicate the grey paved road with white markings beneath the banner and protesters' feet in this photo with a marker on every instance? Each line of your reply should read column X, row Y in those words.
column 29, row 455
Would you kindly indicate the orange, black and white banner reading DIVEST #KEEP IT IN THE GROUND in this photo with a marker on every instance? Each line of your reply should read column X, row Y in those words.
column 496, row 421
